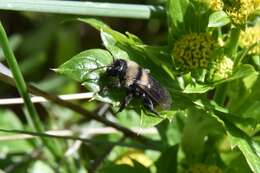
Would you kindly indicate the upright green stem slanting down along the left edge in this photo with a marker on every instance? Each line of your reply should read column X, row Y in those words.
column 33, row 119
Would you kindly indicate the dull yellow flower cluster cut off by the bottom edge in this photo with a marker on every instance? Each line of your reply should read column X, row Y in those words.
column 201, row 168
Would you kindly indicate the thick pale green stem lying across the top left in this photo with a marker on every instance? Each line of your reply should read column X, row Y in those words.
column 84, row 8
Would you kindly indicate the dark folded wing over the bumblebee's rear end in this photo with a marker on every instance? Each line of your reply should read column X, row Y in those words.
column 157, row 93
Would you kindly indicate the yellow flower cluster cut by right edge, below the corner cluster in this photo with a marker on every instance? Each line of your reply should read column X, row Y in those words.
column 250, row 37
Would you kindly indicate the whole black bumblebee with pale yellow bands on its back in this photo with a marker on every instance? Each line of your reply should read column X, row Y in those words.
column 139, row 83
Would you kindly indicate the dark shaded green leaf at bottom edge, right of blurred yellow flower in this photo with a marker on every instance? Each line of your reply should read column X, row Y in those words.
column 167, row 163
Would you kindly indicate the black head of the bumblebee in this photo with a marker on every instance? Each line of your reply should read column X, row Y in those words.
column 116, row 68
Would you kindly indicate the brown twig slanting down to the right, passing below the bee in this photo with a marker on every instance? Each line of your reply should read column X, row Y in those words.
column 82, row 111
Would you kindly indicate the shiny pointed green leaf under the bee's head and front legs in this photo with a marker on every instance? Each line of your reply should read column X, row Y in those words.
column 86, row 67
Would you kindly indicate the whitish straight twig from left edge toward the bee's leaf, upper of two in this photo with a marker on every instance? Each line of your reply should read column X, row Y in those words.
column 38, row 99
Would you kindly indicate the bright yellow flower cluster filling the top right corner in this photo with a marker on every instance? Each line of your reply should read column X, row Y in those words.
column 240, row 10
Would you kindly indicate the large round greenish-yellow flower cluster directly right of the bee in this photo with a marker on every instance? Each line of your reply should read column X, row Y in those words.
column 194, row 50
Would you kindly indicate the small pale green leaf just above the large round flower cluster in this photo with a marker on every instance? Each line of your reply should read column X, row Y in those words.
column 218, row 19
